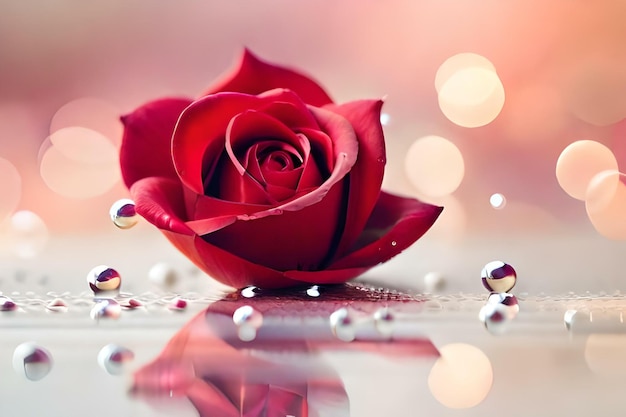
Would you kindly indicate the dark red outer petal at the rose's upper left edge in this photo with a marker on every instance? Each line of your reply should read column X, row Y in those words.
column 146, row 145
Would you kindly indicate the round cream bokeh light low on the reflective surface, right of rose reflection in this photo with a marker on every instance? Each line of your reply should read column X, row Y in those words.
column 461, row 377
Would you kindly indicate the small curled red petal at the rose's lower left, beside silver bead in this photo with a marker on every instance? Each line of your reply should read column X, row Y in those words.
column 161, row 202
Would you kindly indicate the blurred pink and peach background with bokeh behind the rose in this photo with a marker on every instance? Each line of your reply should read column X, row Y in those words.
column 510, row 114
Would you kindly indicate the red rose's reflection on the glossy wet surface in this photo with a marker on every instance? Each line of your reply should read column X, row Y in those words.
column 281, row 372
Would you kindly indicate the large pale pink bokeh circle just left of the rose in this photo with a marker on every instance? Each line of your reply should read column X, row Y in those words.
column 80, row 163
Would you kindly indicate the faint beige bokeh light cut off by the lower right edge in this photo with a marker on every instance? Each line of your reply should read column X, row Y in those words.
column 605, row 354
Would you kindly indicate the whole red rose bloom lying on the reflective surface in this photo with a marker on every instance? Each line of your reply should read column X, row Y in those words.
column 263, row 180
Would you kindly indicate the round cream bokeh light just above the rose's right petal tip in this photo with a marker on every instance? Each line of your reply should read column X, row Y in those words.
column 435, row 166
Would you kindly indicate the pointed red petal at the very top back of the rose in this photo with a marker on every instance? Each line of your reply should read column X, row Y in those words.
column 253, row 76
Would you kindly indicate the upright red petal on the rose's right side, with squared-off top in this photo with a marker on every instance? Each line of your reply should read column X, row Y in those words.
column 366, row 175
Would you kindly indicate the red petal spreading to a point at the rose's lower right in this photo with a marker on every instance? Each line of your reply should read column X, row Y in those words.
column 395, row 224
